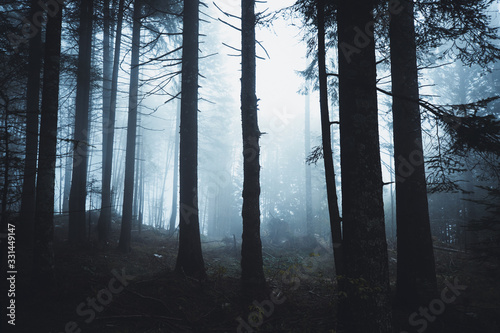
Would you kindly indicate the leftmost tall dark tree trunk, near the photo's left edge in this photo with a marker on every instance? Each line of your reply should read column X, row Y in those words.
column 32, row 112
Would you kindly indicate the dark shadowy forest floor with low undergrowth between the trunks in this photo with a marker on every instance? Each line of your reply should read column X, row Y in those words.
column 102, row 290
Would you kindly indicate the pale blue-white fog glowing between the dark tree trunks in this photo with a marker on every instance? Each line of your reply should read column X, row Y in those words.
column 282, row 103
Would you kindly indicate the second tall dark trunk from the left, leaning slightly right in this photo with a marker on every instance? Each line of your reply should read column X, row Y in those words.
column 43, row 274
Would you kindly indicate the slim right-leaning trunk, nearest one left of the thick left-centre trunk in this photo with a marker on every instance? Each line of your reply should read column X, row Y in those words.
column 128, row 187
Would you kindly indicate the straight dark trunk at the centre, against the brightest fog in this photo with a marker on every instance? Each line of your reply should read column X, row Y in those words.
column 252, row 273
